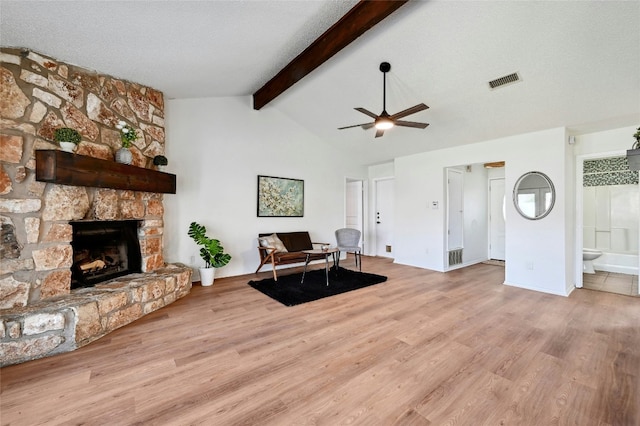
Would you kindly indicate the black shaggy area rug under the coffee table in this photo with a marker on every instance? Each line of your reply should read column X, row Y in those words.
column 288, row 290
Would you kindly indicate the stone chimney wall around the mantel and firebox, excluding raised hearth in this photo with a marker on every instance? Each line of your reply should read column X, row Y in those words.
column 39, row 94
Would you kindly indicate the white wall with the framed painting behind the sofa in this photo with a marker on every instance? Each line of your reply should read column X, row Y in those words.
column 217, row 147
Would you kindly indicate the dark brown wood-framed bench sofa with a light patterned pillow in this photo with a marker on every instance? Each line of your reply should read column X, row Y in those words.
column 280, row 248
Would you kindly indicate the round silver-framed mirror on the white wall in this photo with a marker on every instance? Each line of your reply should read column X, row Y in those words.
column 534, row 195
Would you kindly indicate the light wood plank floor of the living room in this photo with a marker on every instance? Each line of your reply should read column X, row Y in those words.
column 423, row 348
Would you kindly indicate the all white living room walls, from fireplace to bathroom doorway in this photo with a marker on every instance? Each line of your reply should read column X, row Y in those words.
column 217, row 147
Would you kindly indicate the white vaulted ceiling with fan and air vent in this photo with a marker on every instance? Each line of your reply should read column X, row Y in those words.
column 579, row 61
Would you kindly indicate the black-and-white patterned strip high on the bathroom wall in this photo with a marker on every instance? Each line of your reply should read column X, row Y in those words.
column 608, row 171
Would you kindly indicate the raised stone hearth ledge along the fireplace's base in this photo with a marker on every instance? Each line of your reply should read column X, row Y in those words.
column 64, row 323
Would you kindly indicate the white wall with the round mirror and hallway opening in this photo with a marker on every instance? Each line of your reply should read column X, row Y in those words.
column 536, row 251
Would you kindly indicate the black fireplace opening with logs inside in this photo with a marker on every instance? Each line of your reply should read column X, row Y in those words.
column 103, row 250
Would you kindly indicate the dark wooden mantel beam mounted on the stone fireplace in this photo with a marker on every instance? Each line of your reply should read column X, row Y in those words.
column 66, row 168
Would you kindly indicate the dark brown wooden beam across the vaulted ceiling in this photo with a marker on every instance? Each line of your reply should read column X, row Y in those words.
column 356, row 22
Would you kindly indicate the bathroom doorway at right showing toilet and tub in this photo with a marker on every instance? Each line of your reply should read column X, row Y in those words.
column 608, row 212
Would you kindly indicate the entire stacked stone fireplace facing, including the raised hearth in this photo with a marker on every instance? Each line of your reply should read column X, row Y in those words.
column 39, row 314
